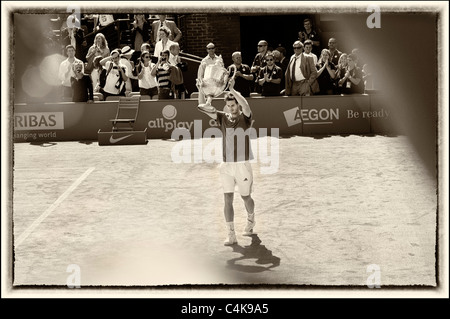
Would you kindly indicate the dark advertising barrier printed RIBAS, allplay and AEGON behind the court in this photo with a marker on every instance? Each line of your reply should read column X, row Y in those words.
column 359, row 114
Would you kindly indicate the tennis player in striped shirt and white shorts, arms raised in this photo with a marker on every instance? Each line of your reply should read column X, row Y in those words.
column 235, row 168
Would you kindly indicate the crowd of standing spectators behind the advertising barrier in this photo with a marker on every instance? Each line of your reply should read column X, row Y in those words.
column 138, row 66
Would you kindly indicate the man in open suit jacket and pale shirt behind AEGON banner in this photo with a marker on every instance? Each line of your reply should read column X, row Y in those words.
column 301, row 73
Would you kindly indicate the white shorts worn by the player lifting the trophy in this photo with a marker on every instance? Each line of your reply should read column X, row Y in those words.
column 237, row 173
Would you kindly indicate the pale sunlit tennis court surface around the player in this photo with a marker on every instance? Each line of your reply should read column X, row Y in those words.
column 130, row 216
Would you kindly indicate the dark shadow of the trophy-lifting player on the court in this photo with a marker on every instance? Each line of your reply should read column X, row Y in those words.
column 265, row 260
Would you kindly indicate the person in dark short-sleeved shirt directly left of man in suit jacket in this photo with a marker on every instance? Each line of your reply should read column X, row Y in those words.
column 270, row 77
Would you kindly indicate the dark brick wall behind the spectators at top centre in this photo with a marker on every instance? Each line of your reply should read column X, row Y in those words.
column 221, row 29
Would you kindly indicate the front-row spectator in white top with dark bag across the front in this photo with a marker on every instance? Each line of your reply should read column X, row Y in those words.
column 116, row 76
